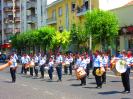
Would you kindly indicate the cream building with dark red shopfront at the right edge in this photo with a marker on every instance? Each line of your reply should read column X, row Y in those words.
column 125, row 17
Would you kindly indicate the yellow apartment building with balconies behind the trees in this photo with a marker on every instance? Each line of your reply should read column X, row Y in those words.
column 61, row 14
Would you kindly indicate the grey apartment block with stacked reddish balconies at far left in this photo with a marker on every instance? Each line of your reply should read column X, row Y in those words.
column 10, row 19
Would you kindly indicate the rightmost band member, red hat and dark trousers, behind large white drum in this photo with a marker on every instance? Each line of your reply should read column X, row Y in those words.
column 125, row 76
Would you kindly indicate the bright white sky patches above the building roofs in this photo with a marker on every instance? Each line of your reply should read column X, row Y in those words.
column 106, row 4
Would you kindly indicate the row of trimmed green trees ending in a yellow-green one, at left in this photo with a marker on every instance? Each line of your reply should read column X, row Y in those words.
column 44, row 37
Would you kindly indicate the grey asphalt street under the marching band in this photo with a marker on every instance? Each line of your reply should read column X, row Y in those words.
column 30, row 88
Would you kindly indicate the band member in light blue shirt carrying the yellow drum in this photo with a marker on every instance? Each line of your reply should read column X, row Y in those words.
column 97, row 64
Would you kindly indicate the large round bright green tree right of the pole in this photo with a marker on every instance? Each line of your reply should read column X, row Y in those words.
column 102, row 26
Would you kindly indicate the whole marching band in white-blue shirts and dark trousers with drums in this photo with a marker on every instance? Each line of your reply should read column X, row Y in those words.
column 80, row 63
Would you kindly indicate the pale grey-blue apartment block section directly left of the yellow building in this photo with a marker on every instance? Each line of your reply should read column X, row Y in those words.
column 33, row 14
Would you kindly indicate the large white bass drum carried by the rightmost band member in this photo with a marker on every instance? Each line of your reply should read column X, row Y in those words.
column 121, row 66
